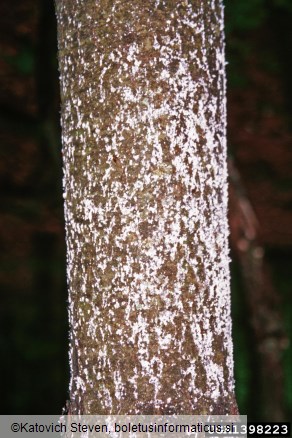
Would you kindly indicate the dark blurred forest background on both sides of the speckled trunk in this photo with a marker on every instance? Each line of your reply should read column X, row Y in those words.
column 33, row 314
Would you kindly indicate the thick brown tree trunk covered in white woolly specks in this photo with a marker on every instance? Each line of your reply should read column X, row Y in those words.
column 145, row 188
